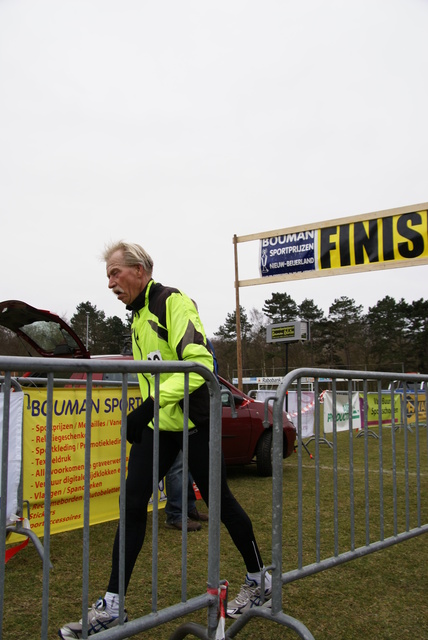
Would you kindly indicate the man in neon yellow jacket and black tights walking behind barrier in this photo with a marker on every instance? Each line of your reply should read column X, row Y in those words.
column 166, row 326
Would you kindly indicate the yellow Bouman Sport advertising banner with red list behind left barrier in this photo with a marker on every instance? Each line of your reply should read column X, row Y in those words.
column 68, row 455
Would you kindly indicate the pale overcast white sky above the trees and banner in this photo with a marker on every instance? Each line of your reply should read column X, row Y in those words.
column 178, row 124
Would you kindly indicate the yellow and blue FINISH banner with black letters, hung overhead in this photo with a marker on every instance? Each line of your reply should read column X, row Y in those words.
column 374, row 241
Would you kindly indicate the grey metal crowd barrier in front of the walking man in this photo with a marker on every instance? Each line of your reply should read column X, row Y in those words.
column 209, row 598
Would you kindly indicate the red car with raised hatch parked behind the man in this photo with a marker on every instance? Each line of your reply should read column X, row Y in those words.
column 244, row 436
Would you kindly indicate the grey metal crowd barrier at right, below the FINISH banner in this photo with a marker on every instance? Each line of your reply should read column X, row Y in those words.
column 361, row 529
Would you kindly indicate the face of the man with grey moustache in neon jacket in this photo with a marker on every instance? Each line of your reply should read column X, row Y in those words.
column 125, row 282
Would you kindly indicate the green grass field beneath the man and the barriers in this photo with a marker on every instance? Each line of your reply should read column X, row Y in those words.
column 382, row 596
